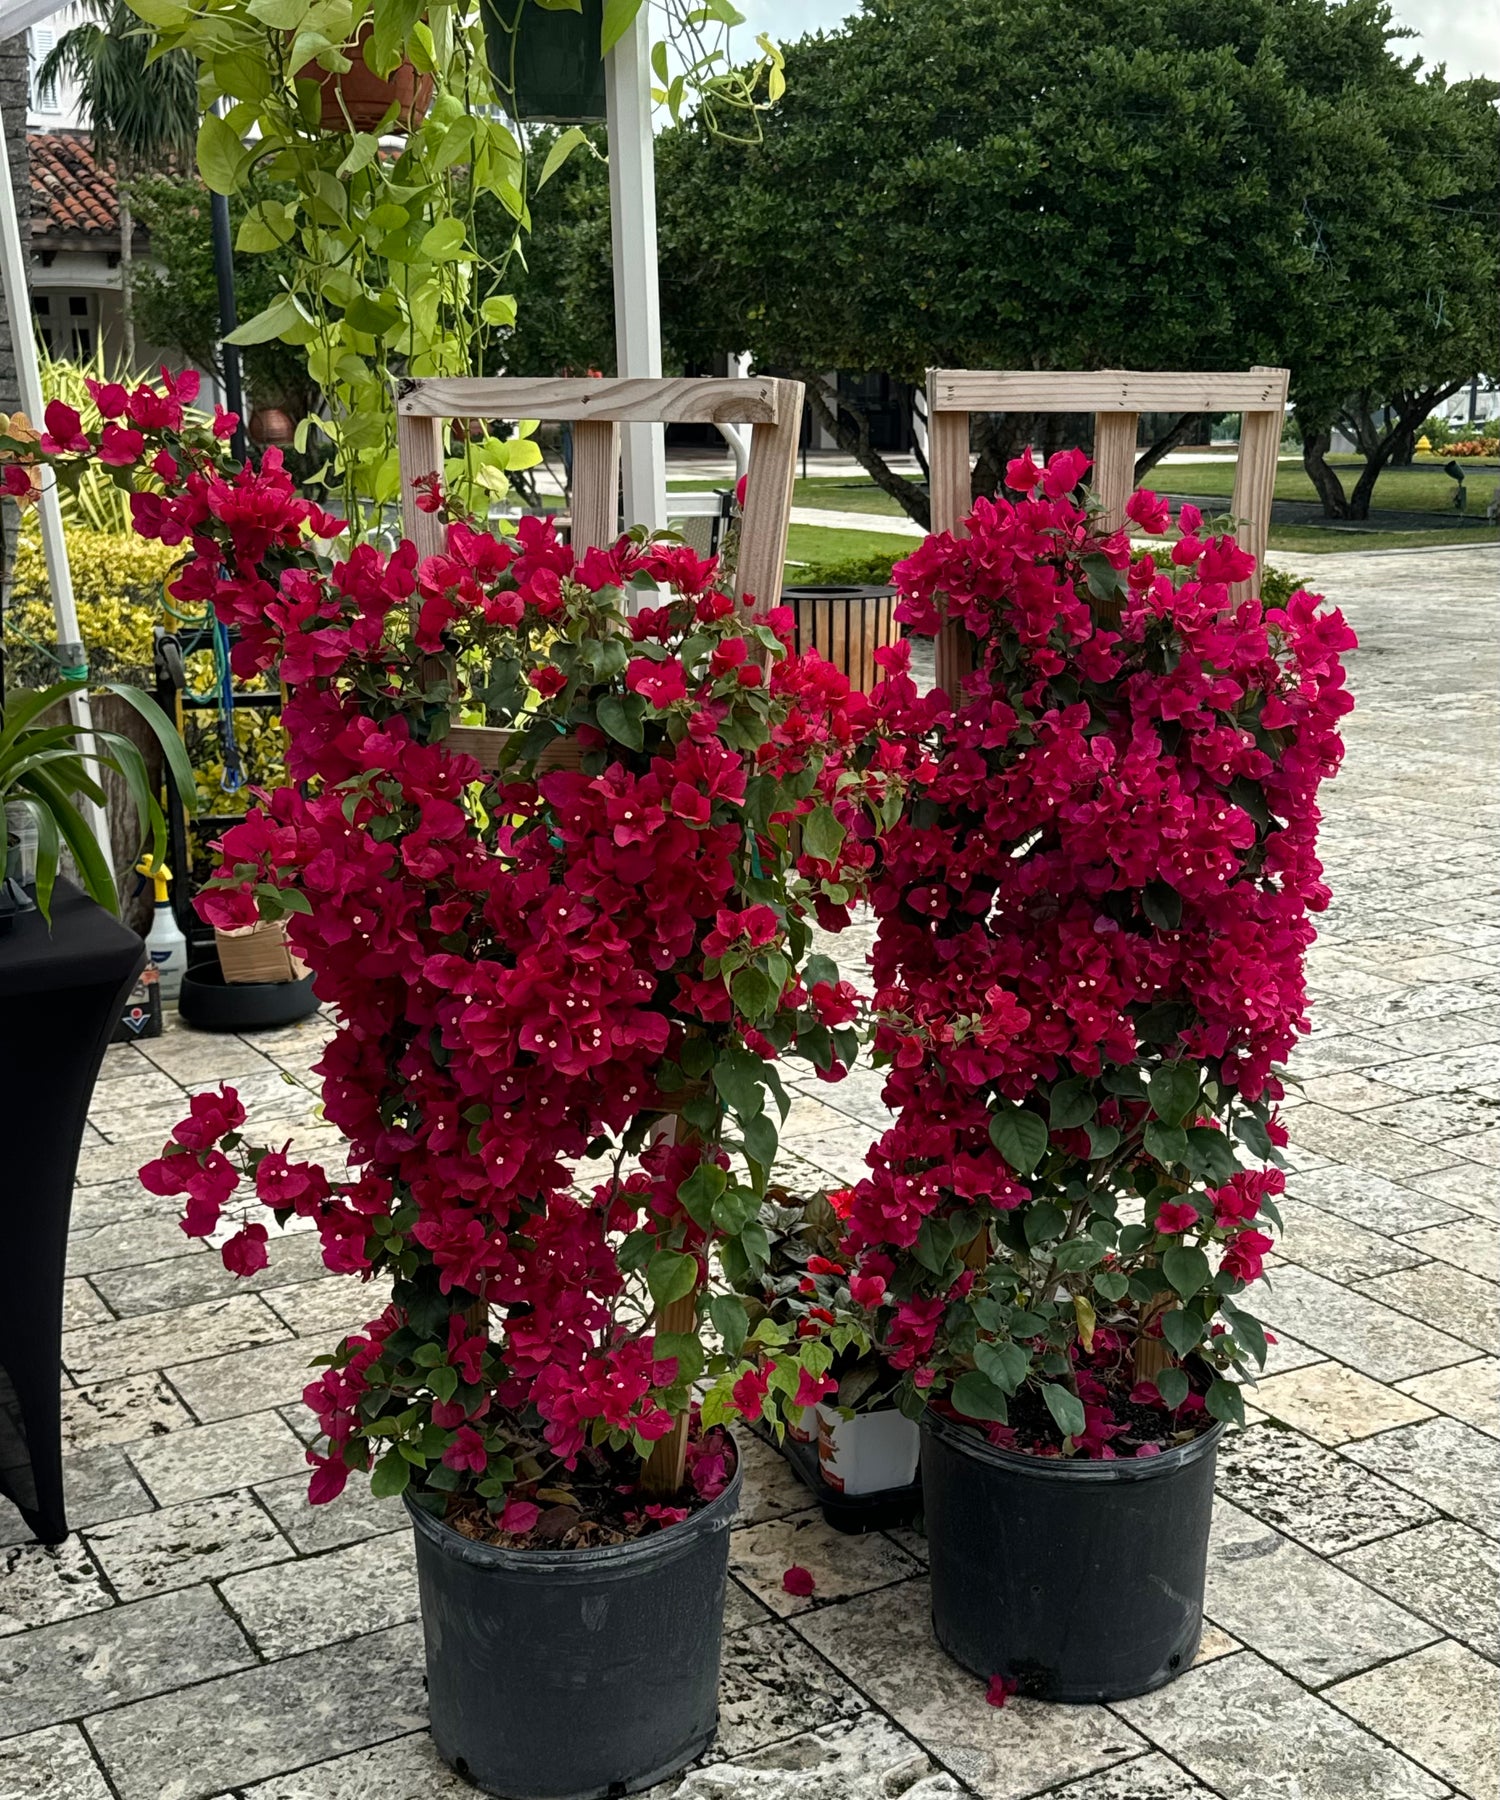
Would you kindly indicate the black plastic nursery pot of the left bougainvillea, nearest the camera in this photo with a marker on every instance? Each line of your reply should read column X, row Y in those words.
column 575, row 1675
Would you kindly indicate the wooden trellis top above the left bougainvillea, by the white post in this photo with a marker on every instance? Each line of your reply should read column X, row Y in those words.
column 599, row 409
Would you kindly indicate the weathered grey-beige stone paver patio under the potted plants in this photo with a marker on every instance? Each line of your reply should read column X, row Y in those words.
column 206, row 1633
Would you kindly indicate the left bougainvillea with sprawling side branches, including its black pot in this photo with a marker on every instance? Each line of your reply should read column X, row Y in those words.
column 563, row 989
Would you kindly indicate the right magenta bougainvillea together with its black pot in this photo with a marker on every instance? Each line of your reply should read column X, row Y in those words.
column 1090, row 958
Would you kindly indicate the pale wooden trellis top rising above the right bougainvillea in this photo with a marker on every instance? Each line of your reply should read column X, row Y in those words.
column 1116, row 399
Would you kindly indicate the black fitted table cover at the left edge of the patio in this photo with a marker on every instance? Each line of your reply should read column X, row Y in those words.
column 60, row 998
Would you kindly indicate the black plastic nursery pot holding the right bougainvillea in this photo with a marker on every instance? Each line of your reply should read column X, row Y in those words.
column 1081, row 1579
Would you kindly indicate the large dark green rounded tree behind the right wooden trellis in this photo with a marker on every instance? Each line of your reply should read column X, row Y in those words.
column 1042, row 184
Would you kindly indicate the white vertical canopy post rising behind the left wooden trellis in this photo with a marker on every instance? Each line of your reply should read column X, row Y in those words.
column 633, row 237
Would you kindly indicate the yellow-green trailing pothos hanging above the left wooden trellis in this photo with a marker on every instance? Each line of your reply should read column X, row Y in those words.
column 388, row 271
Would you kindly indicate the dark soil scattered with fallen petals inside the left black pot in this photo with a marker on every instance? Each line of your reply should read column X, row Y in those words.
column 599, row 1502
